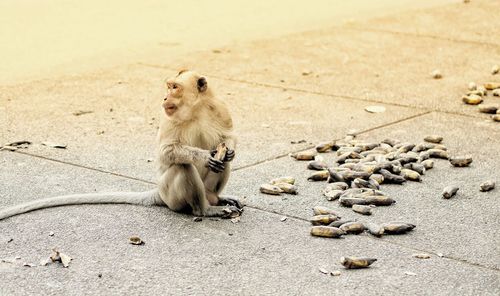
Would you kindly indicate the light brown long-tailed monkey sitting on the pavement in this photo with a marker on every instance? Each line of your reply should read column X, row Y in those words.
column 193, row 123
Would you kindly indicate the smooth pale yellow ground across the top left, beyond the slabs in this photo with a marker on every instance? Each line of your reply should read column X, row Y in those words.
column 42, row 39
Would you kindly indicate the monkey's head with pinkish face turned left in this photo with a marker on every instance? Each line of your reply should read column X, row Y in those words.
column 184, row 93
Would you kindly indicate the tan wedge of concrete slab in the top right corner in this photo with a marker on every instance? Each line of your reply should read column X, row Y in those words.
column 470, row 22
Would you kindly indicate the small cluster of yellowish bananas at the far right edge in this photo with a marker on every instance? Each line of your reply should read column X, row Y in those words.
column 476, row 94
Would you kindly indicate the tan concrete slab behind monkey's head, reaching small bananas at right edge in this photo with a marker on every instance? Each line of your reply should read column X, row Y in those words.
column 373, row 66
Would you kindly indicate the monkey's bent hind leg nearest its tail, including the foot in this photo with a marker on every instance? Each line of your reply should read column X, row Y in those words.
column 181, row 185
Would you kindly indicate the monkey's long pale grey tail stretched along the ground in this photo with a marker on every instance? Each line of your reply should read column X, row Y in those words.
column 146, row 198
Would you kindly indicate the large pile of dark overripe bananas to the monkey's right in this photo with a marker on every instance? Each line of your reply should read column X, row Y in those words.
column 359, row 169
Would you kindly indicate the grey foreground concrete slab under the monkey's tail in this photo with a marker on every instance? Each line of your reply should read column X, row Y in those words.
column 260, row 253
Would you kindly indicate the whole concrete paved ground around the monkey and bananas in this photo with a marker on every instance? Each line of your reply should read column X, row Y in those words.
column 376, row 55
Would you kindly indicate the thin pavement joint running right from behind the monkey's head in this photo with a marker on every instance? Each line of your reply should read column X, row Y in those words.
column 255, row 83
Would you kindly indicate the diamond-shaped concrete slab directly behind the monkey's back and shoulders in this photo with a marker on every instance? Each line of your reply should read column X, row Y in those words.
column 124, row 105
